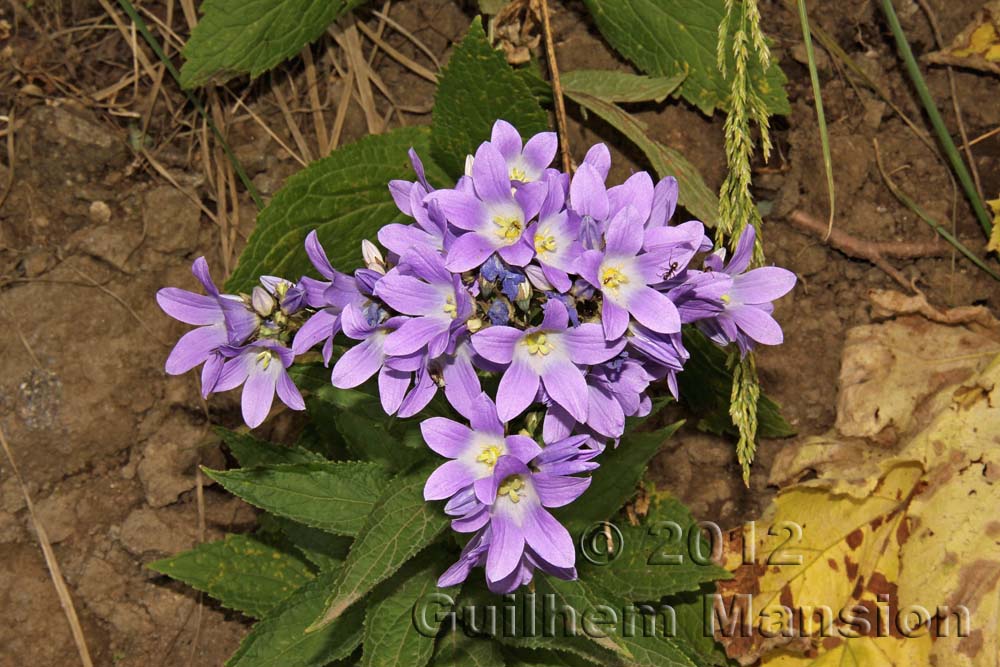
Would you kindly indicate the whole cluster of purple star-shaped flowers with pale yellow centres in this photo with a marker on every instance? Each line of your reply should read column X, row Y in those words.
column 571, row 292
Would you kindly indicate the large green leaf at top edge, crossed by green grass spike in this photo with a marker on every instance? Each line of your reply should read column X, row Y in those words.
column 669, row 37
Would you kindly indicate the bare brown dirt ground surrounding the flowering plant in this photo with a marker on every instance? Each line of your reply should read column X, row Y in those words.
column 107, row 198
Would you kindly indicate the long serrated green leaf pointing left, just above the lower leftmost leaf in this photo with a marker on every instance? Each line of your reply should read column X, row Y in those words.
column 332, row 496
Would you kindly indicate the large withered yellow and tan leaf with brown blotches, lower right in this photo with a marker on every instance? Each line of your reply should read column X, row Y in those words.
column 888, row 546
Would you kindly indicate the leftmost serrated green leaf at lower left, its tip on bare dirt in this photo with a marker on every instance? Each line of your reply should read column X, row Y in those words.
column 239, row 571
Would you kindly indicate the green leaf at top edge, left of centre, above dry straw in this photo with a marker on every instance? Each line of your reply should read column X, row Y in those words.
column 239, row 36
